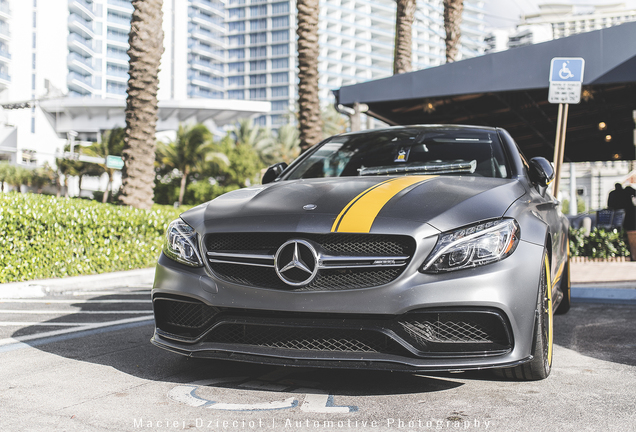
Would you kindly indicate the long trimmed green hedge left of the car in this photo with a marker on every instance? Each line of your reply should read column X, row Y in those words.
column 45, row 237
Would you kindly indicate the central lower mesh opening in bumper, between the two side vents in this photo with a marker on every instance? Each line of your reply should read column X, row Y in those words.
column 305, row 339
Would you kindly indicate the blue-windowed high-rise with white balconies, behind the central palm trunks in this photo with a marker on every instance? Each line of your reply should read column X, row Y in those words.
column 356, row 44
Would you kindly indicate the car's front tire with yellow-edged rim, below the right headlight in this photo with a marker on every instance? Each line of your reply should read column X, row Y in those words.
column 541, row 364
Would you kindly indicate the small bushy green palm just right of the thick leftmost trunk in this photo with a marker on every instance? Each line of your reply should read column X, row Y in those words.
column 188, row 152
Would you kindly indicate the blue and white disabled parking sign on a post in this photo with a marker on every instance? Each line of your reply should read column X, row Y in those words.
column 566, row 79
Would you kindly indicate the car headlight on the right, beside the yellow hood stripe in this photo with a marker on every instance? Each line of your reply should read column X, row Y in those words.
column 473, row 246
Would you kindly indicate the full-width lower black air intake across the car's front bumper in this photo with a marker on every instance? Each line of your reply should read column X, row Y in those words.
column 420, row 333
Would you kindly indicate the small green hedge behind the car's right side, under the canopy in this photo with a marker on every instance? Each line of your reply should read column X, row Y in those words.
column 599, row 244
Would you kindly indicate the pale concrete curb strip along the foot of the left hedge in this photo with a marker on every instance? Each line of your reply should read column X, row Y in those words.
column 42, row 287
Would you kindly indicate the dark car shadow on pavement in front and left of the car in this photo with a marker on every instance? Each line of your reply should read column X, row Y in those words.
column 127, row 348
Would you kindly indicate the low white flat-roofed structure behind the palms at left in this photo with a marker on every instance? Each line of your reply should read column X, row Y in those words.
column 96, row 115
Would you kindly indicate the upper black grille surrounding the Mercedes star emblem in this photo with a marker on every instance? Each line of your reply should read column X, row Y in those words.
column 336, row 244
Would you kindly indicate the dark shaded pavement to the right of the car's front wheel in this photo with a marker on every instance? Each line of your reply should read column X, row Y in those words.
column 602, row 331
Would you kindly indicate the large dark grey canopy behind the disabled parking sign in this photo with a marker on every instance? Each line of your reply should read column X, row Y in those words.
column 509, row 89
